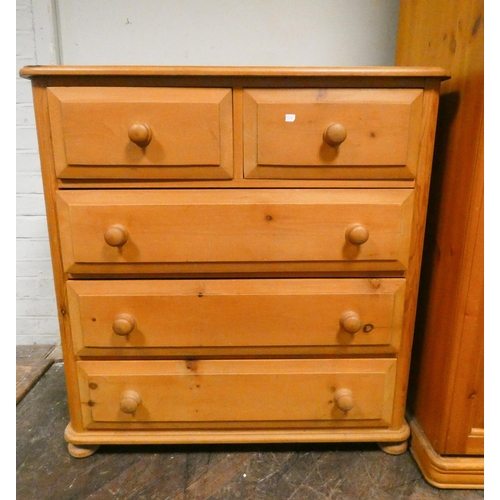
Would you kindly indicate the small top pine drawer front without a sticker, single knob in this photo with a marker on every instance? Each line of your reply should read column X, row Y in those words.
column 137, row 133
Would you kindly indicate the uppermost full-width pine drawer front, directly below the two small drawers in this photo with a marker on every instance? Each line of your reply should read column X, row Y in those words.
column 122, row 231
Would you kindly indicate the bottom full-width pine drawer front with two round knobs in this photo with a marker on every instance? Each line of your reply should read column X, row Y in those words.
column 317, row 391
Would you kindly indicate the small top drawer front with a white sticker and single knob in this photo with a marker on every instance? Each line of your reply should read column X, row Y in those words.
column 332, row 133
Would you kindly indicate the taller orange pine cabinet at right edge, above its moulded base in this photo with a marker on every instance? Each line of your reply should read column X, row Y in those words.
column 446, row 389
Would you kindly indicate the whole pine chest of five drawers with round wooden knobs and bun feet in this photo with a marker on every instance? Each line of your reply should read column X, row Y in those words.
column 236, row 251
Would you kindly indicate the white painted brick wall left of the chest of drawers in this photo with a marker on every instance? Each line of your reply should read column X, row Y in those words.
column 36, row 310
